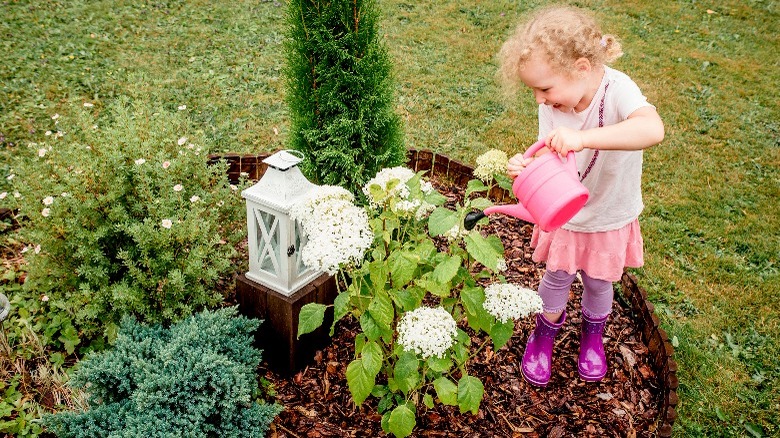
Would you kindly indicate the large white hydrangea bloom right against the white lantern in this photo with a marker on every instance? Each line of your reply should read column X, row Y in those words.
column 338, row 231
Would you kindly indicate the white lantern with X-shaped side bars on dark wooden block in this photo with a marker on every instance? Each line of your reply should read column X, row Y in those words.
column 275, row 241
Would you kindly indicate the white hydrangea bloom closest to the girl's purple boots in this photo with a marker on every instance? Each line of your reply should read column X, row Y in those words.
column 510, row 301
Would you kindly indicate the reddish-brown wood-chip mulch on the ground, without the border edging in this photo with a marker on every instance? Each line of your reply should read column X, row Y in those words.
column 625, row 403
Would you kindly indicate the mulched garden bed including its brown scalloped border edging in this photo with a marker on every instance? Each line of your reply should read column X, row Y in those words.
column 637, row 398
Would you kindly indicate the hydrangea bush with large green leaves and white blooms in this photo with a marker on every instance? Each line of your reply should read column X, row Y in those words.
column 408, row 295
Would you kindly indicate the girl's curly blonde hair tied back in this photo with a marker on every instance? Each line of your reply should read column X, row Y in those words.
column 562, row 34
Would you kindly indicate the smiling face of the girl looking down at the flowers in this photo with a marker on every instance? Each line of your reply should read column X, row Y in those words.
column 563, row 92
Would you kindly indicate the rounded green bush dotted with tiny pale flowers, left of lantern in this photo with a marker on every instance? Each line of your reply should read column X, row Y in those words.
column 123, row 216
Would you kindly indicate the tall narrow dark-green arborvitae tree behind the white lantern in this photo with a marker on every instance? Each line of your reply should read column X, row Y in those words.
column 340, row 92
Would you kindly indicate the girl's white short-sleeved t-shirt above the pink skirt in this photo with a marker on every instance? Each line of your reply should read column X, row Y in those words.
column 615, row 180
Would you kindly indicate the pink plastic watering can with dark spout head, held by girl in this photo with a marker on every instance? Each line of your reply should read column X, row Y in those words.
column 549, row 191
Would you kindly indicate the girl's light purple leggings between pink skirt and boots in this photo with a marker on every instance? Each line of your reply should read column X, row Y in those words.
column 596, row 299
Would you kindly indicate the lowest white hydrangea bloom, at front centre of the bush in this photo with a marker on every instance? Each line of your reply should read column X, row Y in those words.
column 427, row 331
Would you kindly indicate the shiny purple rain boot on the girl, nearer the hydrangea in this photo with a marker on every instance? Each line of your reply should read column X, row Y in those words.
column 537, row 359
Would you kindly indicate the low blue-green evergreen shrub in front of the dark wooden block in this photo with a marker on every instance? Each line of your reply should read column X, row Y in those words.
column 194, row 379
